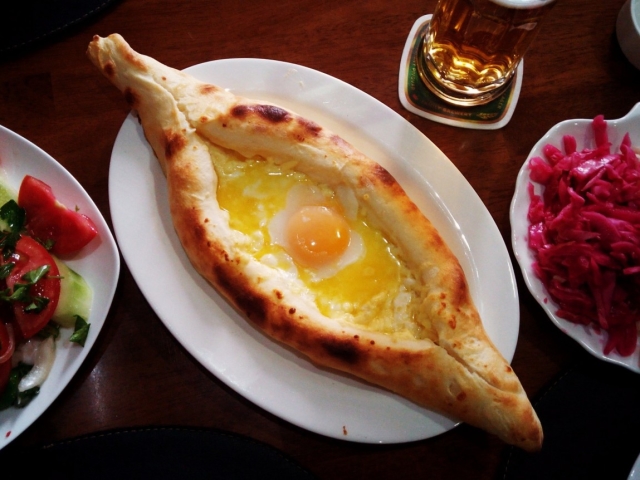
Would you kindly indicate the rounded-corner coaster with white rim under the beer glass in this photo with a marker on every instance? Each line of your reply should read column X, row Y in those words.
column 417, row 98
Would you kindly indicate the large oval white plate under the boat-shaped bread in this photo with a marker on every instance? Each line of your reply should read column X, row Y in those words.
column 270, row 375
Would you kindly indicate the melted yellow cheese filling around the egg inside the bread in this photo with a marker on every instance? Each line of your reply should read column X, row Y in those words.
column 373, row 291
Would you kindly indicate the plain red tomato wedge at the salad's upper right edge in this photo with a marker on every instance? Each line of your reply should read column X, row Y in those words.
column 50, row 220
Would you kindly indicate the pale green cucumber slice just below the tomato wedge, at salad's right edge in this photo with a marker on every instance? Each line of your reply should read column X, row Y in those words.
column 76, row 297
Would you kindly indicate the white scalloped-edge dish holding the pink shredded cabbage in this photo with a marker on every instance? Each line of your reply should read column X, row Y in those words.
column 587, row 336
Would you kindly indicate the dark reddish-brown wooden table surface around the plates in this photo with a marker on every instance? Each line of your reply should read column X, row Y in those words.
column 137, row 374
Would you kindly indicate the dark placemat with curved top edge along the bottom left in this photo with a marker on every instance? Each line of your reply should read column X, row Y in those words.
column 158, row 453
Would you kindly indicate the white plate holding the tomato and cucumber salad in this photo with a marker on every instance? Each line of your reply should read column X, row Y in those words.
column 98, row 263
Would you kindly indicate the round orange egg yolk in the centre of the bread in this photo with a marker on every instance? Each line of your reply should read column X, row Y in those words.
column 316, row 235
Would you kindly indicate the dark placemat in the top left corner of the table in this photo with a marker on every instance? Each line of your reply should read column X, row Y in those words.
column 30, row 23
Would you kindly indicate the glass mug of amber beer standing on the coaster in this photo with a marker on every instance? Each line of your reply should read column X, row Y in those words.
column 472, row 47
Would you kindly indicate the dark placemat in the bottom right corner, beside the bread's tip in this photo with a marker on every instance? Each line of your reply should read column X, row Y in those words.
column 591, row 422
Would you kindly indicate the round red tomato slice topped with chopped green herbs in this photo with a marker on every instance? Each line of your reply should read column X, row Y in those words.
column 28, row 256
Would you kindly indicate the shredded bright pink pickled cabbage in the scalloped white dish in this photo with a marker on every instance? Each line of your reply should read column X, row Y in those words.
column 585, row 234
